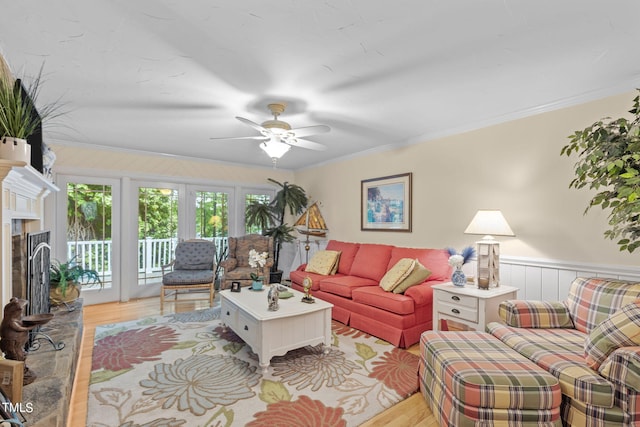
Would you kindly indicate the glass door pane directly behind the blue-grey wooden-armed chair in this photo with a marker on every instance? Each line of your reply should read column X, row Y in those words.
column 157, row 231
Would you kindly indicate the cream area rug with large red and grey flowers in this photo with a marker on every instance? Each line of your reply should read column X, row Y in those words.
column 186, row 369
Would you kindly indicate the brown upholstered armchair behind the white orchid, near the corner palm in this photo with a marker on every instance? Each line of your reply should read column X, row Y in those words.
column 236, row 266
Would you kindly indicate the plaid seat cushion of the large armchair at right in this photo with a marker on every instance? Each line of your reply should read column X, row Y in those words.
column 560, row 352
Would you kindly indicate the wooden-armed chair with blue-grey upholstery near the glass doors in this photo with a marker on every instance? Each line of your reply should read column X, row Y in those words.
column 192, row 269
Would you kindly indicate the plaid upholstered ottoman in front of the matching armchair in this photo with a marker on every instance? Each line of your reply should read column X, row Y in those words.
column 471, row 378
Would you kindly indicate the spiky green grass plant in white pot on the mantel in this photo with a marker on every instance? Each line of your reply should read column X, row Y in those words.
column 19, row 117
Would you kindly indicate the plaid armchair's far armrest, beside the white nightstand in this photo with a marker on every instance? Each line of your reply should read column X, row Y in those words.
column 535, row 314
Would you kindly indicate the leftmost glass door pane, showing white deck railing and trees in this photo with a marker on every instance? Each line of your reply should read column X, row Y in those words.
column 89, row 231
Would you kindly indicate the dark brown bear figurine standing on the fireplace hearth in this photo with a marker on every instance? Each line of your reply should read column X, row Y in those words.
column 14, row 334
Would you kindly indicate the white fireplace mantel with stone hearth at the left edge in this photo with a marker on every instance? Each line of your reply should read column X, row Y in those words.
column 24, row 190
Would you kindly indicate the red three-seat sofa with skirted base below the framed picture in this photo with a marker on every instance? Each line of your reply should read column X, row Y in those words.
column 361, row 303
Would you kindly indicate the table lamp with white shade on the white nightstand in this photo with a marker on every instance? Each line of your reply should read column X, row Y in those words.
column 489, row 223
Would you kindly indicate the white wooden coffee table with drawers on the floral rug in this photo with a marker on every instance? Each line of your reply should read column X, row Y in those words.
column 273, row 333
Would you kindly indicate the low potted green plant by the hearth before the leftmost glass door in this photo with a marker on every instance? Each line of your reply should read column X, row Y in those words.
column 66, row 279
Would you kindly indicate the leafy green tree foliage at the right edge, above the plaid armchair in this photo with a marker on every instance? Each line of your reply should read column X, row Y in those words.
column 609, row 162
